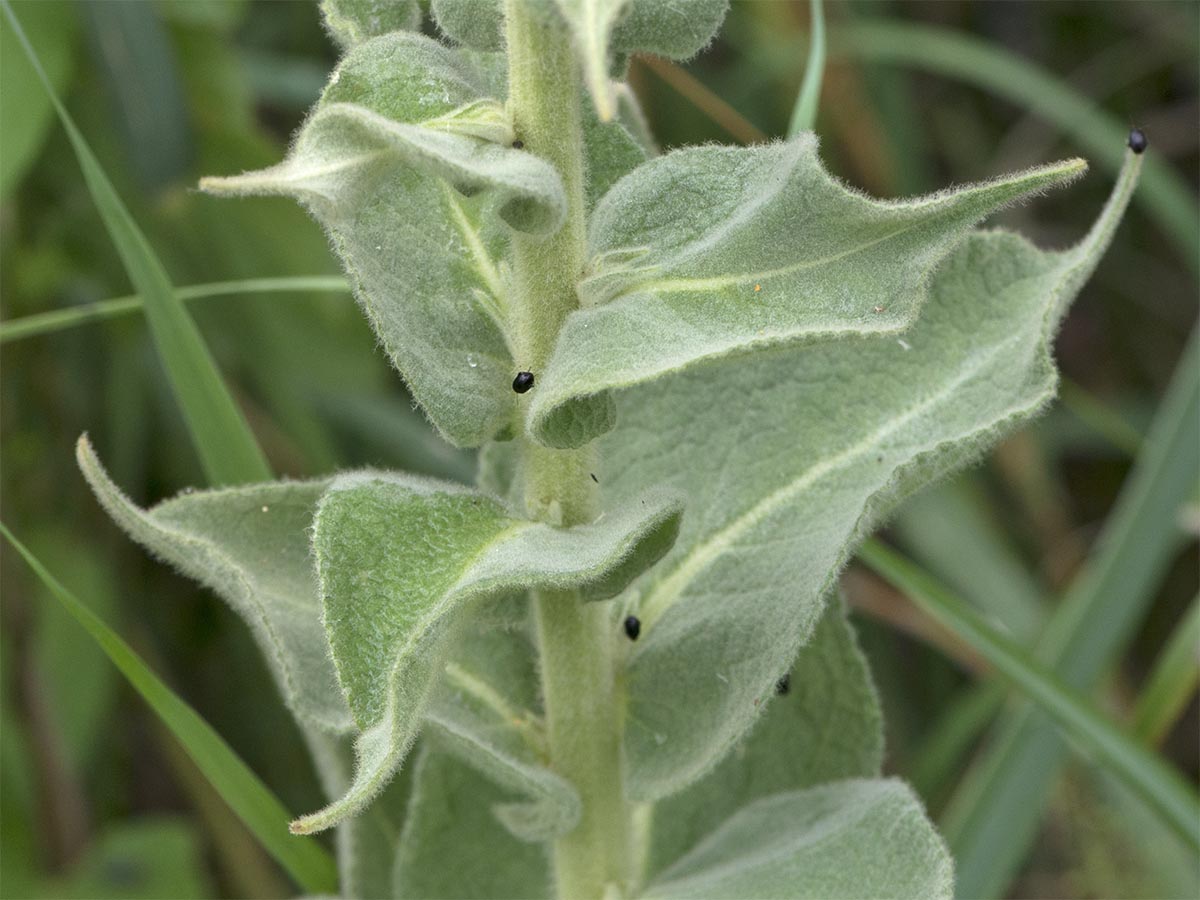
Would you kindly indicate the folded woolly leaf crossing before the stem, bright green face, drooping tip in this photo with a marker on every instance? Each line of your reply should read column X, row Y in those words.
column 401, row 560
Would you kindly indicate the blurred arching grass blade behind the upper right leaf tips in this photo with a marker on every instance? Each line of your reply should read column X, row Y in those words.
column 1166, row 196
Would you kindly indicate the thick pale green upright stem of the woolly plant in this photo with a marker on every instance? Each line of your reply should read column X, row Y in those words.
column 574, row 639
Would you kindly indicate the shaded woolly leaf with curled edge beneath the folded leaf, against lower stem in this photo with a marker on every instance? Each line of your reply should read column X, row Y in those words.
column 485, row 716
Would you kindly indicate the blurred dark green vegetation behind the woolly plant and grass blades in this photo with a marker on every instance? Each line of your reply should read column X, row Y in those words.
column 95, row 797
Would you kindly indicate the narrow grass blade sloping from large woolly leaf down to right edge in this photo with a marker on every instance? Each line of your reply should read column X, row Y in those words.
column 1143, row 772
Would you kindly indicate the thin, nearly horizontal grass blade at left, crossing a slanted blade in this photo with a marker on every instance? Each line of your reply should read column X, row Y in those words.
column 46, row 323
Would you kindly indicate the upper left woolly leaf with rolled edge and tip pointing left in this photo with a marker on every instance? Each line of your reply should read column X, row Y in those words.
column 424, row 256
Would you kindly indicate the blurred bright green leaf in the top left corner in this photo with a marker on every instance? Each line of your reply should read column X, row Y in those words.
column 27, row 115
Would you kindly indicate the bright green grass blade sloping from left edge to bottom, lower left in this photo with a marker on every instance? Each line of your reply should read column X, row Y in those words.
column 253, row 802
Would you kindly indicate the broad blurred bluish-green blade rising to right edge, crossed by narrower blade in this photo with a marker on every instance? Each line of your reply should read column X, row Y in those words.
column 994, row 818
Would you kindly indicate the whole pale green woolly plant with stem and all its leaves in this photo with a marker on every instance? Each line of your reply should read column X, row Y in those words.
column 619, row 665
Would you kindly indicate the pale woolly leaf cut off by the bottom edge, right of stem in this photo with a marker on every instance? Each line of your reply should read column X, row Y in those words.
column 849, row 839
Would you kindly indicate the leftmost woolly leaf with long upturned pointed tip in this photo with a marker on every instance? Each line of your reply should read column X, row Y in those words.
column 250, row 547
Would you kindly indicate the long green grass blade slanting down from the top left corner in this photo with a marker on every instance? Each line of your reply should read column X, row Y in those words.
column 220, row 433
